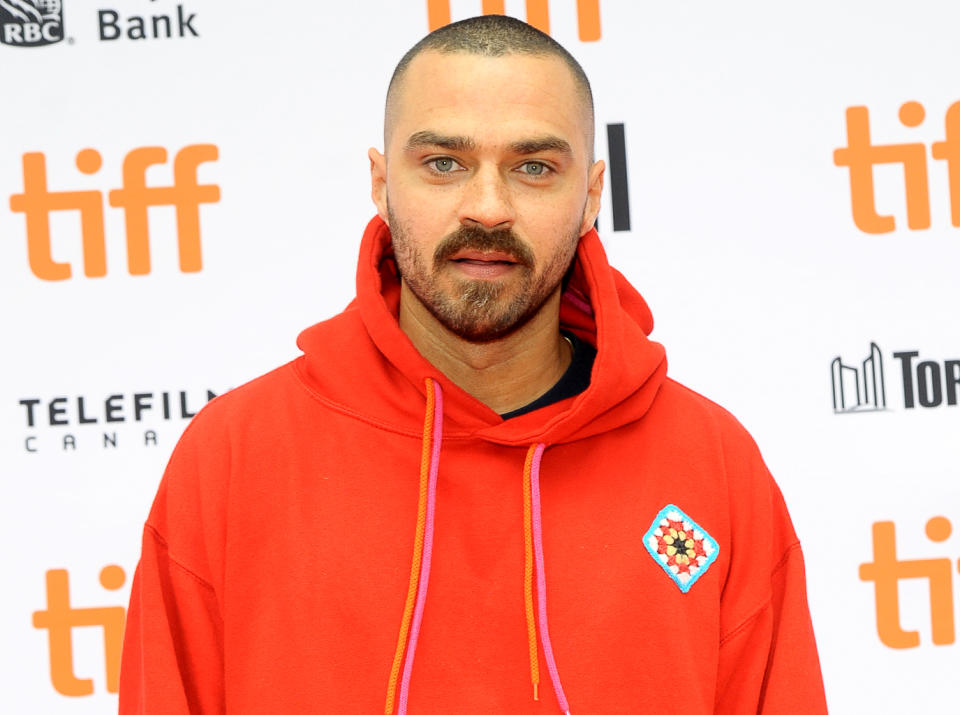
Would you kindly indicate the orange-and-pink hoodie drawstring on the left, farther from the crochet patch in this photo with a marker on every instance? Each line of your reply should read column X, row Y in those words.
column 422, row 548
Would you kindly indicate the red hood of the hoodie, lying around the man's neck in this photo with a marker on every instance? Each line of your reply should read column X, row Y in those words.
column 383, row 381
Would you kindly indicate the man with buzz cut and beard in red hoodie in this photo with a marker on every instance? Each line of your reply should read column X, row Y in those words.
column 378, row 525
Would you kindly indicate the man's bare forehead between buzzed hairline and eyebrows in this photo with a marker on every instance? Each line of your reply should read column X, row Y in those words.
column 493, row 100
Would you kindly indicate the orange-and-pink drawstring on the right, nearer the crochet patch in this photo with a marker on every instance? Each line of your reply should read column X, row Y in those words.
column 533, row 542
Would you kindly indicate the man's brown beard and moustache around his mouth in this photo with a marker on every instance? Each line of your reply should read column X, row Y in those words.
column 479, row 310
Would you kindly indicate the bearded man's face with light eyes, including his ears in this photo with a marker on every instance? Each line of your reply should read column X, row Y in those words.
column 486, row 185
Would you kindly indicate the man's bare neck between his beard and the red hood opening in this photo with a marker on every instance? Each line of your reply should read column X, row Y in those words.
column 504, row 374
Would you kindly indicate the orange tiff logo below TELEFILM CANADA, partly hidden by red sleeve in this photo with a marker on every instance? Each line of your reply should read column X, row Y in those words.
column 61, row 618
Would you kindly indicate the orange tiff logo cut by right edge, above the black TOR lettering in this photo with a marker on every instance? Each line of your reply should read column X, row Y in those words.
column 861, row 155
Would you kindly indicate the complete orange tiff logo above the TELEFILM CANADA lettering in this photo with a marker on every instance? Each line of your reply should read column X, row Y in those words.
column 37, row 202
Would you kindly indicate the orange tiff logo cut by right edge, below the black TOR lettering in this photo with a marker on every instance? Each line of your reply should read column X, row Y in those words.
column 886, row 570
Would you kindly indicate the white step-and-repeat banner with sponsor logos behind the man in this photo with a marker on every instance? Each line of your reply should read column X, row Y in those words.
column 183, row 186
